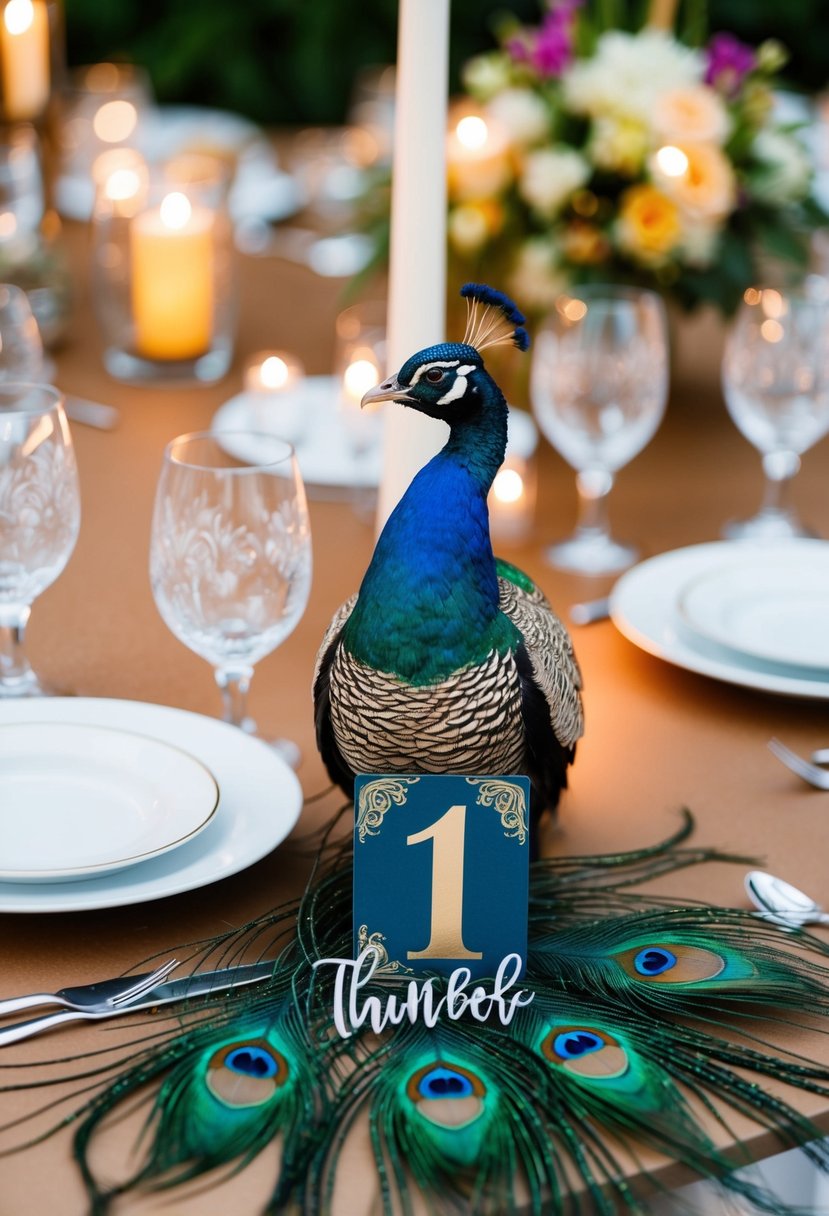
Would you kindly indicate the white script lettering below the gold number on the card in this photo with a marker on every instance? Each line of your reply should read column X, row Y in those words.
column 353, row 1010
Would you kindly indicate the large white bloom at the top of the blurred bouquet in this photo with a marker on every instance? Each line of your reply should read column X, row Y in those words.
column 629, row 74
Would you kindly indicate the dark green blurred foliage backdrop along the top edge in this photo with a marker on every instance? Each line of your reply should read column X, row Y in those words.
column 272, row 60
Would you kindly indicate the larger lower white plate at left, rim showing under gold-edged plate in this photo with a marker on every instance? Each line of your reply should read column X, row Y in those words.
column 261, row 800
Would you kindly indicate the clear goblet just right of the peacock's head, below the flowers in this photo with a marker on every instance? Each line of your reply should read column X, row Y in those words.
column 600, row 385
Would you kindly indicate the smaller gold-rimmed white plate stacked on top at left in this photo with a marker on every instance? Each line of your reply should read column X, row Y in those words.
column 80, row 801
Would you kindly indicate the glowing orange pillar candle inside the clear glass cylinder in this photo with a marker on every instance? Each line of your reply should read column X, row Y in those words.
column 172, row 284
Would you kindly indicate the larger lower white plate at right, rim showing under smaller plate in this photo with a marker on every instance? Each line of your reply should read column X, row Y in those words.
column 645, row 609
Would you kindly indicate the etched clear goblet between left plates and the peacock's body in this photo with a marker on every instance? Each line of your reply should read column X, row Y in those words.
column 230, row 558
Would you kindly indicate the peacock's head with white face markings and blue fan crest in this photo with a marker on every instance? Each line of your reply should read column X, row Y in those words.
column 449, row 381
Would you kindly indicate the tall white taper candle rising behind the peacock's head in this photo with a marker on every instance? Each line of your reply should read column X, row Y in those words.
column 418, row 283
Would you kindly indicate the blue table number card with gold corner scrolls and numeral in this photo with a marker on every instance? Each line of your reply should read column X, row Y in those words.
column 442, row 871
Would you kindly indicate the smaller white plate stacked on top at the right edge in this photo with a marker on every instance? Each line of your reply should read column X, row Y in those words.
column 775, row 612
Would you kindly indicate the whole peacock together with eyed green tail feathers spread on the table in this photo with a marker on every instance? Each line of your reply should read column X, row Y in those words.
column 650, row 1023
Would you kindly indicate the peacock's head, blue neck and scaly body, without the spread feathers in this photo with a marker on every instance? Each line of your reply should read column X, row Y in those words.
column 449, row 660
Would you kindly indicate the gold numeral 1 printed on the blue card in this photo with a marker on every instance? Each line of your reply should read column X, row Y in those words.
column 447, row 836
